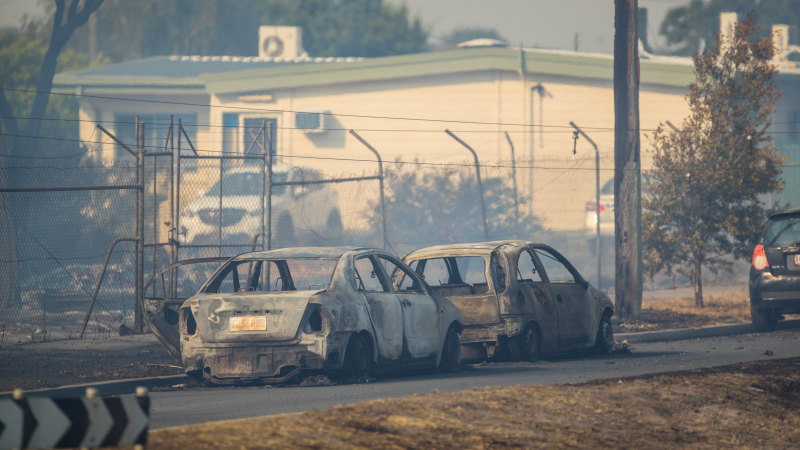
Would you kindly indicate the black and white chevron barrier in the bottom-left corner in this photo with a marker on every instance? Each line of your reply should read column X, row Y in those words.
column 91, row 421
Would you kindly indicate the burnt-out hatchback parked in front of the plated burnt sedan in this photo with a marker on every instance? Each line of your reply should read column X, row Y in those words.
column 518, row 299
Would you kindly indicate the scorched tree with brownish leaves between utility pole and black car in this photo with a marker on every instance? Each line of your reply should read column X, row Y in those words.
column 704, row 203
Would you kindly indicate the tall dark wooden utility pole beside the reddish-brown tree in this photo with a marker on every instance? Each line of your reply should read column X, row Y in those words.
column 627, row 162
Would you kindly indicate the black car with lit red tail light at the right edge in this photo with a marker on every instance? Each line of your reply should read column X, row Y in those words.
column 775, row 272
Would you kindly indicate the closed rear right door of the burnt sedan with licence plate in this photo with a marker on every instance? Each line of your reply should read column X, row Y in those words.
column 385, row 311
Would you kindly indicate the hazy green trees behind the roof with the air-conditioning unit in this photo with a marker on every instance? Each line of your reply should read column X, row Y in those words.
column 137, row 29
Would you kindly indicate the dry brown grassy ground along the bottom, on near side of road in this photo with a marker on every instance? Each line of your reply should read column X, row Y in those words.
column 751, row 405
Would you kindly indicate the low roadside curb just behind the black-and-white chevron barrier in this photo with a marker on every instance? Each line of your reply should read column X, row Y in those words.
column 105, row 388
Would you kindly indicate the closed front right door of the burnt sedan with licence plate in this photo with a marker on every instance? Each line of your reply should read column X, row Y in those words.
column 420, row 314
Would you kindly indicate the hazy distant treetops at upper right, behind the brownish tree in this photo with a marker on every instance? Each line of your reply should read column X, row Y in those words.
column 685, row 27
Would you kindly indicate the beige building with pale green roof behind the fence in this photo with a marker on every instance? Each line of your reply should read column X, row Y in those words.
column 401, row 105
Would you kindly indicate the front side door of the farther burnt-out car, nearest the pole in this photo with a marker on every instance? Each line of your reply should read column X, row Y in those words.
column 576, row 323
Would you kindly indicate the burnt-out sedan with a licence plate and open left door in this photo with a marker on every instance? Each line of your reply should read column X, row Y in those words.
column 268, row 316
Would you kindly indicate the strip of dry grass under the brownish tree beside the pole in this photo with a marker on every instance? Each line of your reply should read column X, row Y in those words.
column 682, row 313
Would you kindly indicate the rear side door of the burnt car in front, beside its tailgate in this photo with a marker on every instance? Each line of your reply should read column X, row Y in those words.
column 537, row 299
